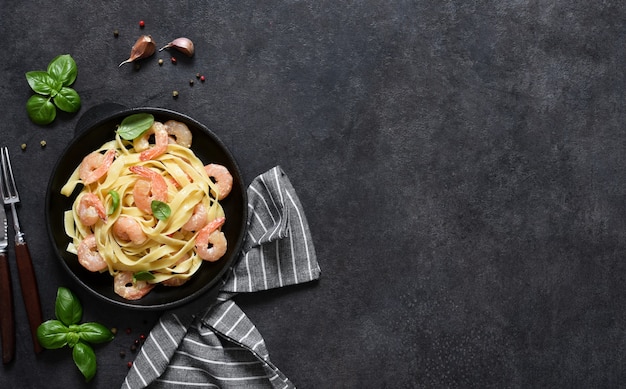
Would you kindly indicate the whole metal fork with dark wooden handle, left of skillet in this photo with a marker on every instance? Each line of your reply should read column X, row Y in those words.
column 26, row 272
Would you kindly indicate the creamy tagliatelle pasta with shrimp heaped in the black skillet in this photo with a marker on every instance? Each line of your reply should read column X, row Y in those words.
column 141, row 247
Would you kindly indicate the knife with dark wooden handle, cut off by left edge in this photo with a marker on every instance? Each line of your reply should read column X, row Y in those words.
column 7, row 321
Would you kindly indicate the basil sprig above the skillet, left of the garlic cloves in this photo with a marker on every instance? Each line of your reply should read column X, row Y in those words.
column 52, row 88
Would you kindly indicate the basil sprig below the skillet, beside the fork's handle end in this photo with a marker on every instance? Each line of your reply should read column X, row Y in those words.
column 66, row 331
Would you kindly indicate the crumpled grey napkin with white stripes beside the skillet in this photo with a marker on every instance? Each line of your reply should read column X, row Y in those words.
column 220, row 347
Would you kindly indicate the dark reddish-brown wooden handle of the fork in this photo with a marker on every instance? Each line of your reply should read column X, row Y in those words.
column 30, row 292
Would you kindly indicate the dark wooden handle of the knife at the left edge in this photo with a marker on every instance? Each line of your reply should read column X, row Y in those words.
column 7, row 321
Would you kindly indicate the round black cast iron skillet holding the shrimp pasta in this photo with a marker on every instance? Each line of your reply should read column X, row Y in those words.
column 96, row 127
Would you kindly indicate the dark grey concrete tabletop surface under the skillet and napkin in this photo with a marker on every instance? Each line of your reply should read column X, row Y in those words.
column 461, row 164
